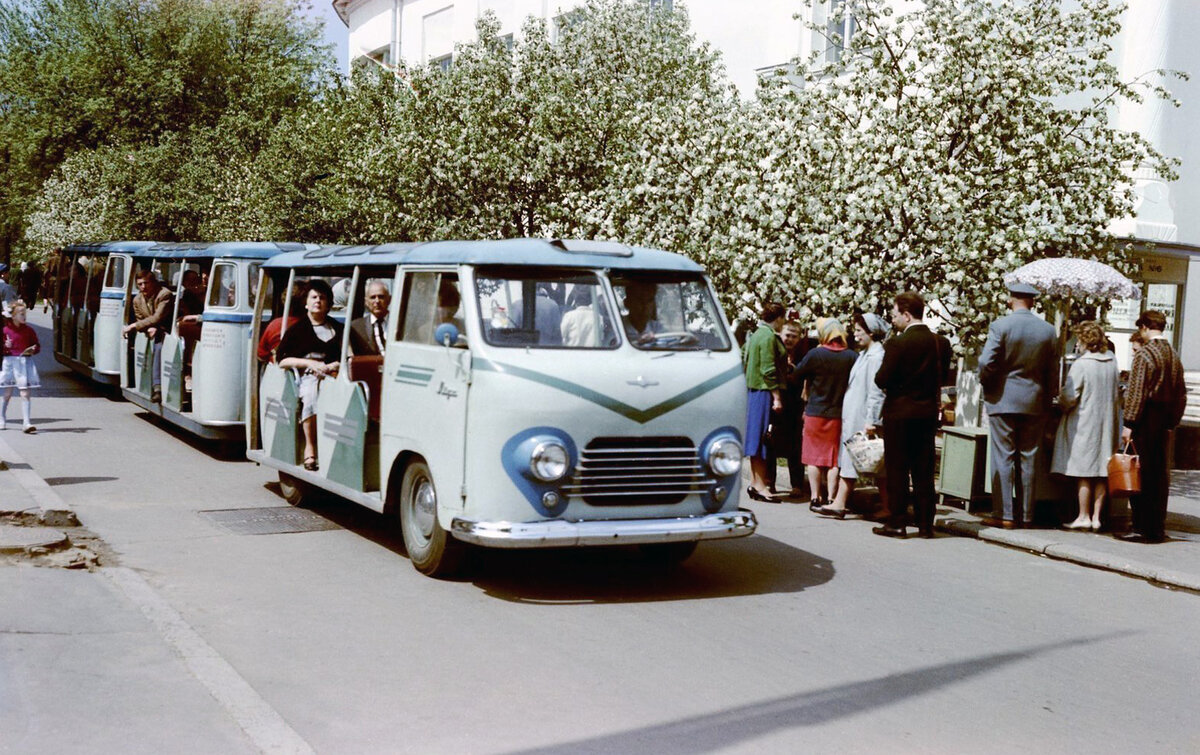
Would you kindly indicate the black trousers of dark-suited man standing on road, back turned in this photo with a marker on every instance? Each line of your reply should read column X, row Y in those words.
column 909, row 451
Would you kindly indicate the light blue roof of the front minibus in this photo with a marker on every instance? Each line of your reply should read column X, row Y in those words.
column 539, row 253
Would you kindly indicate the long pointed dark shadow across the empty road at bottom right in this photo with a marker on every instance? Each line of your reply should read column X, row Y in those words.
column 729, row 729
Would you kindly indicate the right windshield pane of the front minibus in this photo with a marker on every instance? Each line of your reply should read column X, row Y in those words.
column 669, row 313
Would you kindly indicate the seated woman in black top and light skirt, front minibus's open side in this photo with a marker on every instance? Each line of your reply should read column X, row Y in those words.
column 314, row 347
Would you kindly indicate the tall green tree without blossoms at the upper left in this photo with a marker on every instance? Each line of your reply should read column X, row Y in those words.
column 158, row 81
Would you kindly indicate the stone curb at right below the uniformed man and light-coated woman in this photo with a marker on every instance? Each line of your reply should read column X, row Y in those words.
column 1049, row 548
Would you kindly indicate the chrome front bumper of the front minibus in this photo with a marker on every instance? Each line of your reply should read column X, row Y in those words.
column 559, row 534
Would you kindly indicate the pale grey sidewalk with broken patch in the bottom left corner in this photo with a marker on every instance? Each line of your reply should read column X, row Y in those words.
column 76, row 630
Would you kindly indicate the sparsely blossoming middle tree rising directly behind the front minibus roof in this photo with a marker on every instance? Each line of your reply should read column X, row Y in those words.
column 506, row 143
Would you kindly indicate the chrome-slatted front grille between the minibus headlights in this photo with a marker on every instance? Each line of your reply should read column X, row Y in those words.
column 638, row 472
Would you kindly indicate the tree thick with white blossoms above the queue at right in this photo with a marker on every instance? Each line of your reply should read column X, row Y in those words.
column 950, row 145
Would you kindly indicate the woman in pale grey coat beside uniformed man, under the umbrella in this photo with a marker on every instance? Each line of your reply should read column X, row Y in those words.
column 1088, row 434
